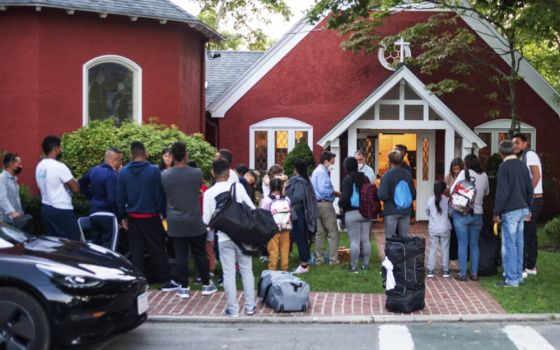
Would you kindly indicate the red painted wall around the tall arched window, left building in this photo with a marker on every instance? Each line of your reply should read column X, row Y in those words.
column 41, row 71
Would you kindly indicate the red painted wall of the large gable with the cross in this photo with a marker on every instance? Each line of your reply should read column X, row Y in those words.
column 319, row 83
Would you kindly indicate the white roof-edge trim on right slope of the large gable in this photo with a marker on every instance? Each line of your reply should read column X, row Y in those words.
column 496, row 41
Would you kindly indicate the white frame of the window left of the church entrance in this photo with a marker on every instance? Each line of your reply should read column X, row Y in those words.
column 277, row 124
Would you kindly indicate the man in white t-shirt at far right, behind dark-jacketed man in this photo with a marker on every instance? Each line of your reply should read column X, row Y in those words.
column 533, row 162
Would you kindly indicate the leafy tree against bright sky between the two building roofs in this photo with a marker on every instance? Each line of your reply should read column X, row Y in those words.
column 241, row 14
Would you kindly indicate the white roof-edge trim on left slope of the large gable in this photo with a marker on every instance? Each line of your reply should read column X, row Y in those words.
column 272, row 56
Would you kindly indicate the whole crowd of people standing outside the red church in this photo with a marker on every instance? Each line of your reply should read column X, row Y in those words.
column 170, row 201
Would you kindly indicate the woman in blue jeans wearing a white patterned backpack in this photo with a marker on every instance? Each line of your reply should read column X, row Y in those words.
column 467, row 220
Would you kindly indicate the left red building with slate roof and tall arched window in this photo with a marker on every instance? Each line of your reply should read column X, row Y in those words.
column 65, row 62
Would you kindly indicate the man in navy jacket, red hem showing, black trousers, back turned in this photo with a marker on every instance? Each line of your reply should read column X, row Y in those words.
column 141, row 204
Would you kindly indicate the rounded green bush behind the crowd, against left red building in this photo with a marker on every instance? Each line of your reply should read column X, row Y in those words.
column 85, row 147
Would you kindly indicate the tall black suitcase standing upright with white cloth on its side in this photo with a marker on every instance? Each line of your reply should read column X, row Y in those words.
column 407, row 258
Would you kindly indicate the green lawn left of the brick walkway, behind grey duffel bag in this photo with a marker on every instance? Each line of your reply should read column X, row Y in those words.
column 324, row 278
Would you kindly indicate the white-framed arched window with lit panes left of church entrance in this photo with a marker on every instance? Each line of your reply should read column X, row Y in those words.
column 272, row 139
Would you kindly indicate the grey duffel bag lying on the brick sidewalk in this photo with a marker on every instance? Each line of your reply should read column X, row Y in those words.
column 283, row 291
